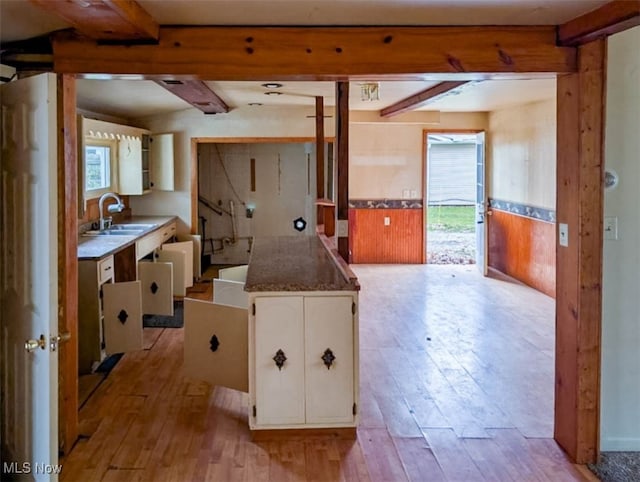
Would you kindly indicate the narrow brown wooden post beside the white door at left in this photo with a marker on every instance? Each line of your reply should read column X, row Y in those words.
column 67, row 261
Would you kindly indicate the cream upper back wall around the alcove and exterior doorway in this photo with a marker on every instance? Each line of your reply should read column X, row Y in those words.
column 386, row 157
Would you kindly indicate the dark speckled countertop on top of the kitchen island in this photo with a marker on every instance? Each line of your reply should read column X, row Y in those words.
column 294, row 263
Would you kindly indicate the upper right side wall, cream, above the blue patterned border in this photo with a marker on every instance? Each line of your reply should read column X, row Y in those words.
column 521, row 153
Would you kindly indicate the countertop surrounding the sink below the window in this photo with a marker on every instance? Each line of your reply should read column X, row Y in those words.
column 97, row 247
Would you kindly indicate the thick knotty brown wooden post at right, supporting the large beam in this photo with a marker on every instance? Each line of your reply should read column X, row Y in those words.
column 580, row 161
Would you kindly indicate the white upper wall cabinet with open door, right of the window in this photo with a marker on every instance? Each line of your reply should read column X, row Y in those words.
column 145, row 163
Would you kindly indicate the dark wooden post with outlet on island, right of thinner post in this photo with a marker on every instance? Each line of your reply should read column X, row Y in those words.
column 342, row 162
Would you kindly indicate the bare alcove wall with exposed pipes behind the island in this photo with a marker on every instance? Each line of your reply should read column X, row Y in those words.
column 285, row 186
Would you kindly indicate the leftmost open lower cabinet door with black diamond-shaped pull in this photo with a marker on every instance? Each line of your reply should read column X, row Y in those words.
column 122, row 307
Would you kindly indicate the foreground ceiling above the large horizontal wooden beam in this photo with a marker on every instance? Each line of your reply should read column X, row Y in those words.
column 19, row 19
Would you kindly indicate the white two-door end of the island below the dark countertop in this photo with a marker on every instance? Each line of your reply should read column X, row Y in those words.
column 303, row 360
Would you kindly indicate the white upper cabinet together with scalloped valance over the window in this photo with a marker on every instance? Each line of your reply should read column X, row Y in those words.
column 143, row 161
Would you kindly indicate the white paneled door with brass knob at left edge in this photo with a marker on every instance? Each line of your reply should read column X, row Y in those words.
column 29, row 275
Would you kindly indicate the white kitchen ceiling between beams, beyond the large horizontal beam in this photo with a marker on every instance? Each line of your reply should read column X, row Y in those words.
column 137, row 98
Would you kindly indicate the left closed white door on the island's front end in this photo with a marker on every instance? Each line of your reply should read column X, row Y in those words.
column 279, row 360
